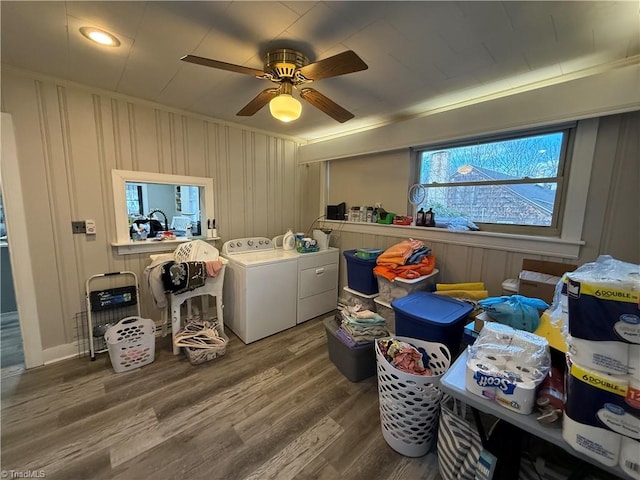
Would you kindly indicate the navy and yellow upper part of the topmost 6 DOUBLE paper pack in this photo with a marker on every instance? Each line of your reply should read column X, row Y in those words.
column 604, row 301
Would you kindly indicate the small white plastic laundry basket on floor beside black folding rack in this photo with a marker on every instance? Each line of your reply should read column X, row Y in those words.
column 131, row 343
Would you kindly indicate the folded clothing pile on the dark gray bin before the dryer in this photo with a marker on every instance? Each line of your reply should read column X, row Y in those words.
column 359, row 326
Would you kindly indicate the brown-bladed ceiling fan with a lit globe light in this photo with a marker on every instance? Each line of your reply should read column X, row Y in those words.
column 290, row 69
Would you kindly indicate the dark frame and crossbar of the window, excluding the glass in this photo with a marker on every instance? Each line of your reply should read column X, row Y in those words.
column 562, row 177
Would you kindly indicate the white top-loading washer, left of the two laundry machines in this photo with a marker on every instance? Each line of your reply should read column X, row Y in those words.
column 260, row 288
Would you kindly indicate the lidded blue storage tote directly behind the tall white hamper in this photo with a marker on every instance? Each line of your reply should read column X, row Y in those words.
column 431, row 317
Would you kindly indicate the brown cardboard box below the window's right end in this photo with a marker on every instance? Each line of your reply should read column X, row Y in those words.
column 538, row 278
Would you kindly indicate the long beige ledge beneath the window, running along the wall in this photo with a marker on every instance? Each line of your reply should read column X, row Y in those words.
column 530, row 244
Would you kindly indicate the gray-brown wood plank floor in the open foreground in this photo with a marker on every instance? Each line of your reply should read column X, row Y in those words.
column 277, row 408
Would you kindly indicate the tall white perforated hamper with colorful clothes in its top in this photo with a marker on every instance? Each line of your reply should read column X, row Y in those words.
column 410, row 404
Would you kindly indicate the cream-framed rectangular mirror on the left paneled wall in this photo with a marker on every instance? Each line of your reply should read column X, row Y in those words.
column 148, row 202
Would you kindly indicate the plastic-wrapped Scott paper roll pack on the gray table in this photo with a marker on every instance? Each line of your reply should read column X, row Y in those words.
column 506, row 365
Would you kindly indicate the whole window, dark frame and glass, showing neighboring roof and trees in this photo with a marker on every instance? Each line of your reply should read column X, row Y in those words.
column 511, row 183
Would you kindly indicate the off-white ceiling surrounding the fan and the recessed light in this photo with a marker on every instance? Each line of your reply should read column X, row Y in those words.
column 421, row 55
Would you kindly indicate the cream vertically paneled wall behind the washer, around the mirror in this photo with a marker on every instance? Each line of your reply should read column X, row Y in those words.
column 69, row 138
